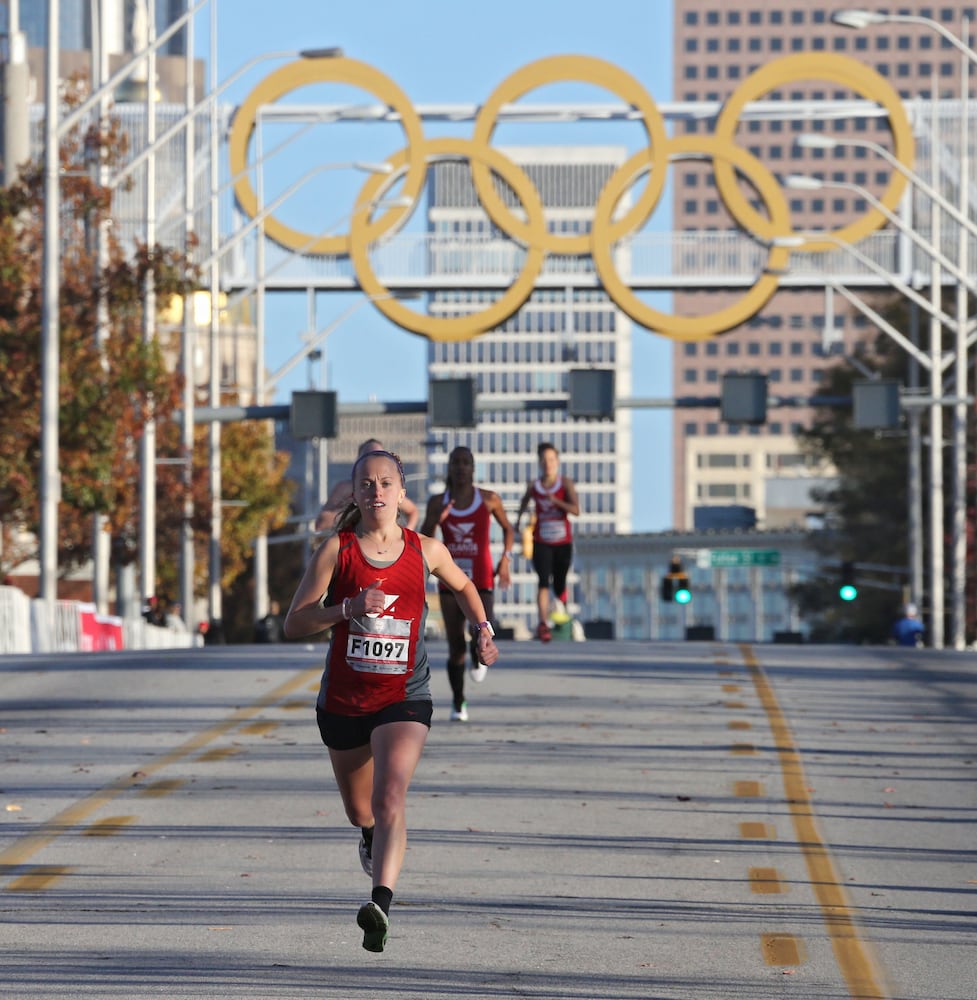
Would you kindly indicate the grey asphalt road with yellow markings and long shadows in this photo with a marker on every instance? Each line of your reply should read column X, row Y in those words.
column 617, row 820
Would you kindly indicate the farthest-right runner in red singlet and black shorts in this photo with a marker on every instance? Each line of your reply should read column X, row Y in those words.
column 555, row 499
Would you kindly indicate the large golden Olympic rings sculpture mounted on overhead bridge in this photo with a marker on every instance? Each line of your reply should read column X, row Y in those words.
column 731, row 163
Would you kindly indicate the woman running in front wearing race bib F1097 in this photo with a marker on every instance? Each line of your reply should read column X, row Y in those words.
column 367, row 583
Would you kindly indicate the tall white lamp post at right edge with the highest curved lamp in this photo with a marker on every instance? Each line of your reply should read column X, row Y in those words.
column 859, row 19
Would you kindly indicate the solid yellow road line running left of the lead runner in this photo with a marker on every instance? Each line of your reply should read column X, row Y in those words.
column 28, row 845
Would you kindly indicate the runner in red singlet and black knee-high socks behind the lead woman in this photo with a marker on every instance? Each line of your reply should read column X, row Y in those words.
column 464, row 514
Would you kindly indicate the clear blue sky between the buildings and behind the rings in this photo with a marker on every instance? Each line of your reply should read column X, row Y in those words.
column 448, row 51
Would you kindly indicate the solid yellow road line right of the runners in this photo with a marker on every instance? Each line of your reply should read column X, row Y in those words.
column 851, row 953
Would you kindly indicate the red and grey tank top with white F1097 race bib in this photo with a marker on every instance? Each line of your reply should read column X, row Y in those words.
column 376, row 661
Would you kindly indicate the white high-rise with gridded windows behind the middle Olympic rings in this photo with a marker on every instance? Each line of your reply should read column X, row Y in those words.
column 524, row 365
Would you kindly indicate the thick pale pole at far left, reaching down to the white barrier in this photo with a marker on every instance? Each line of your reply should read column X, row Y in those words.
column 50, row 323
